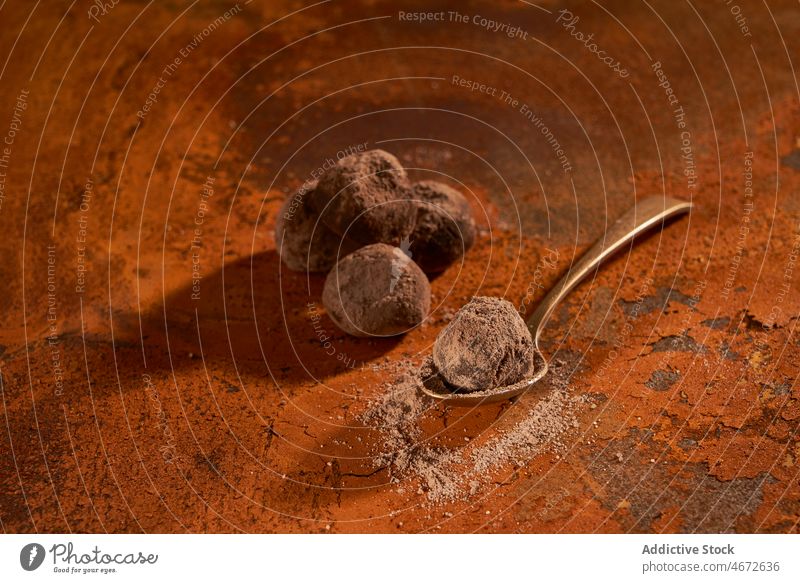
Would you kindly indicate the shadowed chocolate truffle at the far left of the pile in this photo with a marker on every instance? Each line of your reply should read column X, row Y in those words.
column 304, row 242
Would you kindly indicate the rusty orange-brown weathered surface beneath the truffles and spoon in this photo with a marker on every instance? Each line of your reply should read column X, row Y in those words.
column 129, row 405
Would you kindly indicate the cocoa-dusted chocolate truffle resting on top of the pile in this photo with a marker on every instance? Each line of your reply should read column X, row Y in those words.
column 366, row 197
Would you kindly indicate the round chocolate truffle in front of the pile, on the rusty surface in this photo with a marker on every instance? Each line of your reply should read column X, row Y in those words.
column 377, row 291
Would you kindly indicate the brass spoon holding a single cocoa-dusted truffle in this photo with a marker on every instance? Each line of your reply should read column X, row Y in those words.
column 648, row 213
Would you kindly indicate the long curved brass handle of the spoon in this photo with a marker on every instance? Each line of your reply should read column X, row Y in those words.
column 646, row 214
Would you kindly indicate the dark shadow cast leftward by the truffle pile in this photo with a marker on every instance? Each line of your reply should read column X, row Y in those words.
column 257, row 316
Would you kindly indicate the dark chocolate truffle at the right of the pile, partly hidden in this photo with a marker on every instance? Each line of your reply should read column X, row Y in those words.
column 444, row 228
